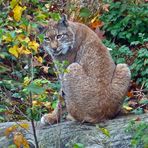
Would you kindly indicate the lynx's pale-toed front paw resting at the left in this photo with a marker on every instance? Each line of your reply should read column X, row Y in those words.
column 49, row 119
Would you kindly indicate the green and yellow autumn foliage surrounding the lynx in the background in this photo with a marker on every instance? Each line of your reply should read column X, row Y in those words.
column 25, row 68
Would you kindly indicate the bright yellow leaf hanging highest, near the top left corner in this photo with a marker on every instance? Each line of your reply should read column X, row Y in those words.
column 18, row 10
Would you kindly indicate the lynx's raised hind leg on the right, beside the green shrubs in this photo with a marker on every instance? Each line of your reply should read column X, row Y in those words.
column 120, row 81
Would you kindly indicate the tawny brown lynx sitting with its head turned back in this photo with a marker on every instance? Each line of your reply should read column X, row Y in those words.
column 94, row 87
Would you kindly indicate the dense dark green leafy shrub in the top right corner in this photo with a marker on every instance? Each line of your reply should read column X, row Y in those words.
column 125, row 21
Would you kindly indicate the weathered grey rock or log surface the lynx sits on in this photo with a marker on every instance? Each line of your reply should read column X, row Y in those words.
column 66, row 134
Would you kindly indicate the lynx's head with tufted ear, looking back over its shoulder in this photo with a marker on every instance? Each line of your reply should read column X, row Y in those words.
column 59, row 37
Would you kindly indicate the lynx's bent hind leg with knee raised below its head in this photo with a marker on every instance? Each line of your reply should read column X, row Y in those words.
column 80, row 93
